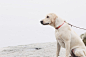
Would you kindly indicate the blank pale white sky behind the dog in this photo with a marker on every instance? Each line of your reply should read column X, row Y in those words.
column 20, row 19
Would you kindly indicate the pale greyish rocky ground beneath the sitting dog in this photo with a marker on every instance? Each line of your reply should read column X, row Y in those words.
column 32, row 50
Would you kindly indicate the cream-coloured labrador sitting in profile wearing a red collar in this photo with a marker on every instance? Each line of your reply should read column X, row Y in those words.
column 65, row 36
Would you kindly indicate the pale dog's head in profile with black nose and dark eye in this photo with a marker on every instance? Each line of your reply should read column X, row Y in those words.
column 49, row 19
